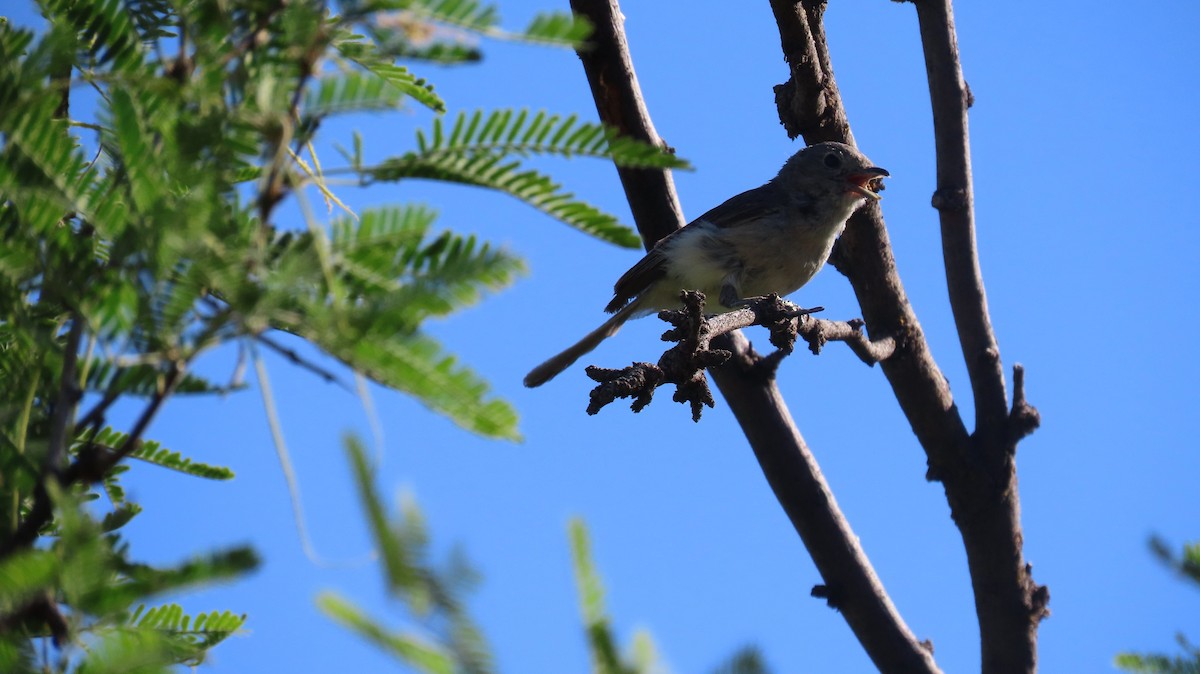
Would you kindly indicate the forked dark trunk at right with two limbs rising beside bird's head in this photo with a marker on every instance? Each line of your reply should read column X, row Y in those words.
column 979, row 471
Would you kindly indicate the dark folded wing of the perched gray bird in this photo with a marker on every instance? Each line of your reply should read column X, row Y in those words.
column 736, row 212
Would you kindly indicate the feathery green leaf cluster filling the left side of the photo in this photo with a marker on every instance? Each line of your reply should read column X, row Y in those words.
column 146, row 149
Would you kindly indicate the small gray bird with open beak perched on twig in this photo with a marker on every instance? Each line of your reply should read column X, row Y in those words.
column 771, row 239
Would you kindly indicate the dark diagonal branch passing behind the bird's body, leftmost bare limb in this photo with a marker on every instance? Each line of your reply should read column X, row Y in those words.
column 755, row 401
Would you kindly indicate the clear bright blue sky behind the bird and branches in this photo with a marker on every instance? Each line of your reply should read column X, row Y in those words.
column 1084, row 140
